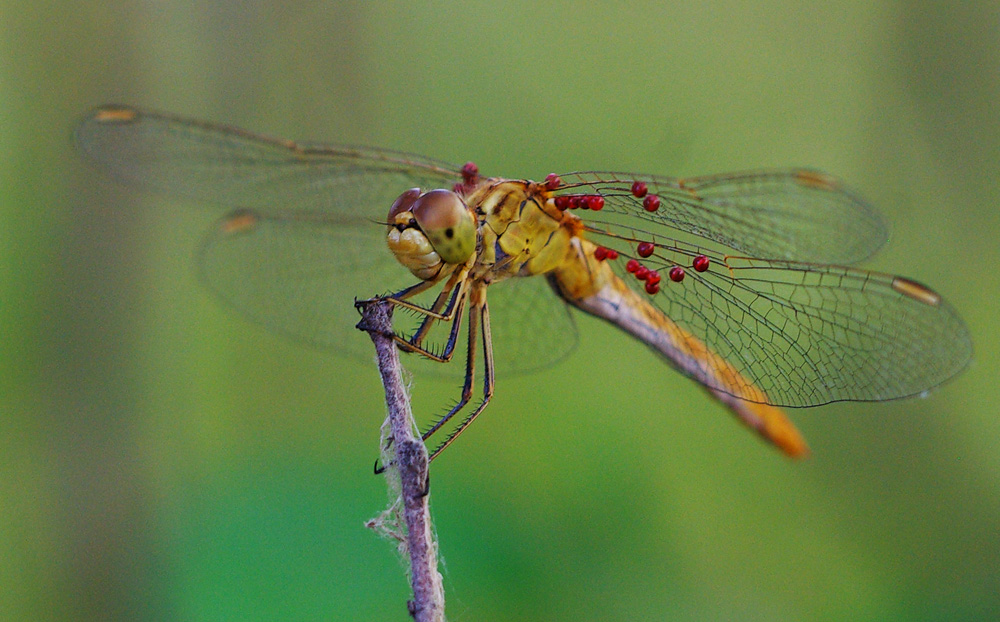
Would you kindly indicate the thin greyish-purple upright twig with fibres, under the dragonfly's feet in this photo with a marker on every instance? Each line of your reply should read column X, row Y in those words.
column 411, row 464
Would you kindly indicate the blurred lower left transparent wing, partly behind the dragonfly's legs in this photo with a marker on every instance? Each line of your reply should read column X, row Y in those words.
column 299, row 275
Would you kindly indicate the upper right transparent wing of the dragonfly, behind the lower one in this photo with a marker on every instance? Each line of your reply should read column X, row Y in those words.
column 791, row 214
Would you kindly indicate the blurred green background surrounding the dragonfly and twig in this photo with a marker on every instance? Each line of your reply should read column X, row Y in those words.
column 162, row 459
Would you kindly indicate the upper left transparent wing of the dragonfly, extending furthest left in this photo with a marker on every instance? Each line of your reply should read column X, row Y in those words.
column 231, row 167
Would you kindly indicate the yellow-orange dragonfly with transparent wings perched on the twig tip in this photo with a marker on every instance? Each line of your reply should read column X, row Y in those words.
column 743, row 282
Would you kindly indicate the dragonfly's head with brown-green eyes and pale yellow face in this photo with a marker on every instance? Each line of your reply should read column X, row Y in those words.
column 428, row 229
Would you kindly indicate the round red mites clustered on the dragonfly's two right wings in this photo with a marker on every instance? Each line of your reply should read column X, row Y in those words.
column 651, row 203
